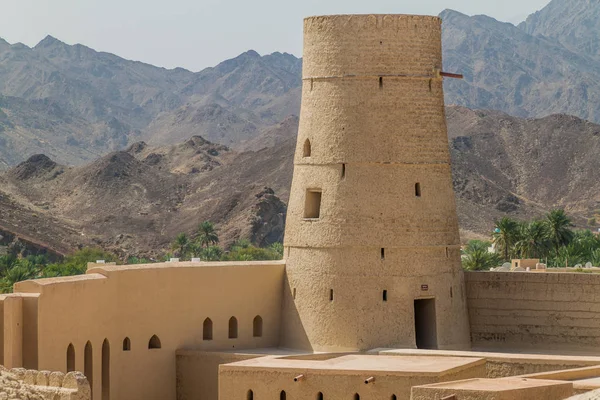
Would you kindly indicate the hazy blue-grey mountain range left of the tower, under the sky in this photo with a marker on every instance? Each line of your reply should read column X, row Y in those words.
column 76, row 104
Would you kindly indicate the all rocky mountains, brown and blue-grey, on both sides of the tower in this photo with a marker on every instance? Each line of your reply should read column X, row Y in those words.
column 217, row 144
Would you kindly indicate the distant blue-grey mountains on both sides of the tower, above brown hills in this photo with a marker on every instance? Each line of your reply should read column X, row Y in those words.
column 75, row 104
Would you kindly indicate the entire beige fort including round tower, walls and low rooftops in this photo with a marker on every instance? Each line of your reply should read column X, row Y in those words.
column 370, row 301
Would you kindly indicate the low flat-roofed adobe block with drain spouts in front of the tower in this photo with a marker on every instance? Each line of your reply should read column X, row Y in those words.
column 275, row 379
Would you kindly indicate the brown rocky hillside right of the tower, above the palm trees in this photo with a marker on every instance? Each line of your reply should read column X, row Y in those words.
column 522, row 167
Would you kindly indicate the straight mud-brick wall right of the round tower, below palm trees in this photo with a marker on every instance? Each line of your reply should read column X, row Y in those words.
column 557, row 312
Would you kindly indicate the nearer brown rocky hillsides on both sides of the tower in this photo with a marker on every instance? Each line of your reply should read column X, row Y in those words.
column 135, row 201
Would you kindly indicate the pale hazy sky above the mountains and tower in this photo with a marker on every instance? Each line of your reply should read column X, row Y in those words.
column 199, row 33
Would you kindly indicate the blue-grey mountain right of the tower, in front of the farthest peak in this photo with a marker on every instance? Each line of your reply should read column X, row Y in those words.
column 510, row 70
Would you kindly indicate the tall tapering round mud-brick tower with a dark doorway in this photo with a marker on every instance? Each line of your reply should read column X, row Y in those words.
column 372, row 243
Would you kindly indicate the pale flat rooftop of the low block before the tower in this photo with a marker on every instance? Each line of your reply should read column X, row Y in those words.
column 397, row 365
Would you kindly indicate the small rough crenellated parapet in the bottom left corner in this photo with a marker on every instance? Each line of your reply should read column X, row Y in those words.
column 46, row 385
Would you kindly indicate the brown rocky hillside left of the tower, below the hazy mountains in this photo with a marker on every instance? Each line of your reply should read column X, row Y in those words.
column 135, row 201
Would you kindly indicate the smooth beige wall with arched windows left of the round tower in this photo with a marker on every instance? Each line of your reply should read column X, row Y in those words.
column 171, row 301
